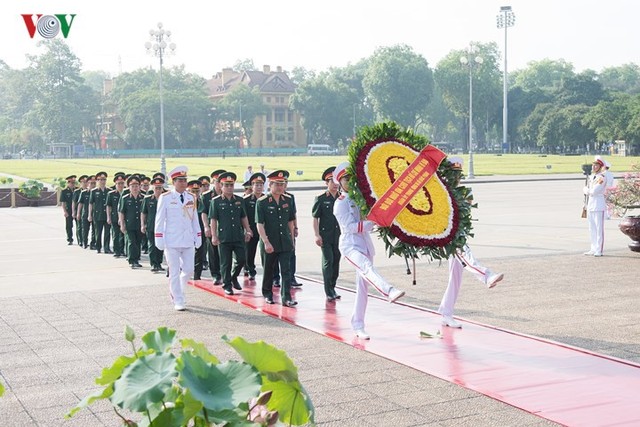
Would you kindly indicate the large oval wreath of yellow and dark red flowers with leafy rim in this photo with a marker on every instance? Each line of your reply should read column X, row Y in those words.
column 436, row 221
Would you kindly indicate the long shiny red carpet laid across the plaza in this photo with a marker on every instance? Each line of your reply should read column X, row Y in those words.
column 563, row 384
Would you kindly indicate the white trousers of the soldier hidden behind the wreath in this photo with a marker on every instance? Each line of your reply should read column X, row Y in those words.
column 462, row 260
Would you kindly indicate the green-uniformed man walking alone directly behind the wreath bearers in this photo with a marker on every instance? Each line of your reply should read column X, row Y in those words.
column 327, row 232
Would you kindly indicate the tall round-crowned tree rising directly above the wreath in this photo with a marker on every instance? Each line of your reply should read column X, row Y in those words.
column 399, row 84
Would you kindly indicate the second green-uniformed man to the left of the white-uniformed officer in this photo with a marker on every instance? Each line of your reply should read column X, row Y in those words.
column 129, row 217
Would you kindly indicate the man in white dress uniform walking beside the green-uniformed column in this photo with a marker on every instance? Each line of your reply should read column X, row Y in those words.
column 177, row 232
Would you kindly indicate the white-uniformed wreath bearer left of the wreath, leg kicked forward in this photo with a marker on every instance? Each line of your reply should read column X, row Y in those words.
column 356, row 247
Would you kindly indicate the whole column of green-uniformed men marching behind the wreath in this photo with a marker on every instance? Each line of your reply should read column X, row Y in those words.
column 120, row 220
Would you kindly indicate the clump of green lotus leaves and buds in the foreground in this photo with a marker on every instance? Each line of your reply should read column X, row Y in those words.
column 195, row 388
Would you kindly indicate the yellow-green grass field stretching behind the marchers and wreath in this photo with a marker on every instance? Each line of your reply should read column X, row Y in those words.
column 311, row 167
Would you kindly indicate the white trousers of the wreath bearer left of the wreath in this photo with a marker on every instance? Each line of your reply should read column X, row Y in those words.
column 365, row 274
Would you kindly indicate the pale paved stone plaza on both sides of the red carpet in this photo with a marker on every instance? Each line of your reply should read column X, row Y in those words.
column 63, row 311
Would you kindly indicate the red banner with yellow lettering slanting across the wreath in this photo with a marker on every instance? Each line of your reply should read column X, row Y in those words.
column 416, row 176
